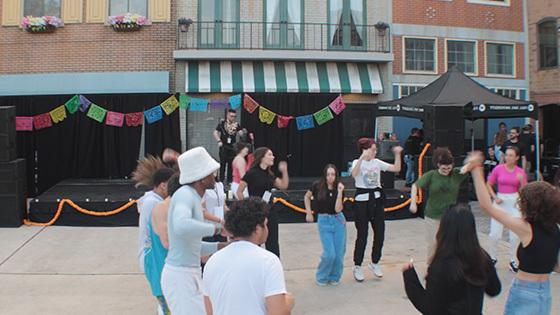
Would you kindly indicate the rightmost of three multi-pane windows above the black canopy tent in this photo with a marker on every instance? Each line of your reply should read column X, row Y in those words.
column 500, row 59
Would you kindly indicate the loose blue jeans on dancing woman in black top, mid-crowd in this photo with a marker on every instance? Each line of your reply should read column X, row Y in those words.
column 332, row 231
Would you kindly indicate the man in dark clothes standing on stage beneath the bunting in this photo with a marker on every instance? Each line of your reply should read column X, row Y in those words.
column 226, row 136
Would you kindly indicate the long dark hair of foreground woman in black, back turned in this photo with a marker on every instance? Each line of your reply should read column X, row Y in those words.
column 457, row 241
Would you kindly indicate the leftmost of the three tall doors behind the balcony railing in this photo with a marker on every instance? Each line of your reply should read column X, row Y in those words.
column 219, row 23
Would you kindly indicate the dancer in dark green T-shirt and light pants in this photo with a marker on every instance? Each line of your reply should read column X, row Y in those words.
column 443, row 186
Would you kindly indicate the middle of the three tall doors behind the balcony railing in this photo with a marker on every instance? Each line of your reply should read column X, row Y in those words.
column 283, row 24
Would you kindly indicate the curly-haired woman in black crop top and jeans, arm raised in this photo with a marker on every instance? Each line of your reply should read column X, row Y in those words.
column 539, row 234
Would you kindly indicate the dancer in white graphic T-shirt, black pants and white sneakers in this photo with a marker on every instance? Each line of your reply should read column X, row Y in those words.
column 369, row 203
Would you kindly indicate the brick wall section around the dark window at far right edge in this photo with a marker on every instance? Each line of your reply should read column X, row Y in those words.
column 545, row 83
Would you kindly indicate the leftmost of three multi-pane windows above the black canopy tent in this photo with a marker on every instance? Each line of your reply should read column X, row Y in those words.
column 420, row 54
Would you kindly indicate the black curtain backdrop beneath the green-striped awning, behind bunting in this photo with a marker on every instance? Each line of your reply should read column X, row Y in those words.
column 307, row 151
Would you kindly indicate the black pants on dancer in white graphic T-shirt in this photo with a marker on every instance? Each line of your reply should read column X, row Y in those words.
column 366, row 212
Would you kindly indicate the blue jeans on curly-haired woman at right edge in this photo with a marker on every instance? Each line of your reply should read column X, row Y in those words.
column 528, row 298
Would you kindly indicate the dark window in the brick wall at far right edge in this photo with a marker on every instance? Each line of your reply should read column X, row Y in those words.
column 548, row 44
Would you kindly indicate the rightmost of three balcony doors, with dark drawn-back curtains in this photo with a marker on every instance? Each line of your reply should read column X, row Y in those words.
column 347, row 24
